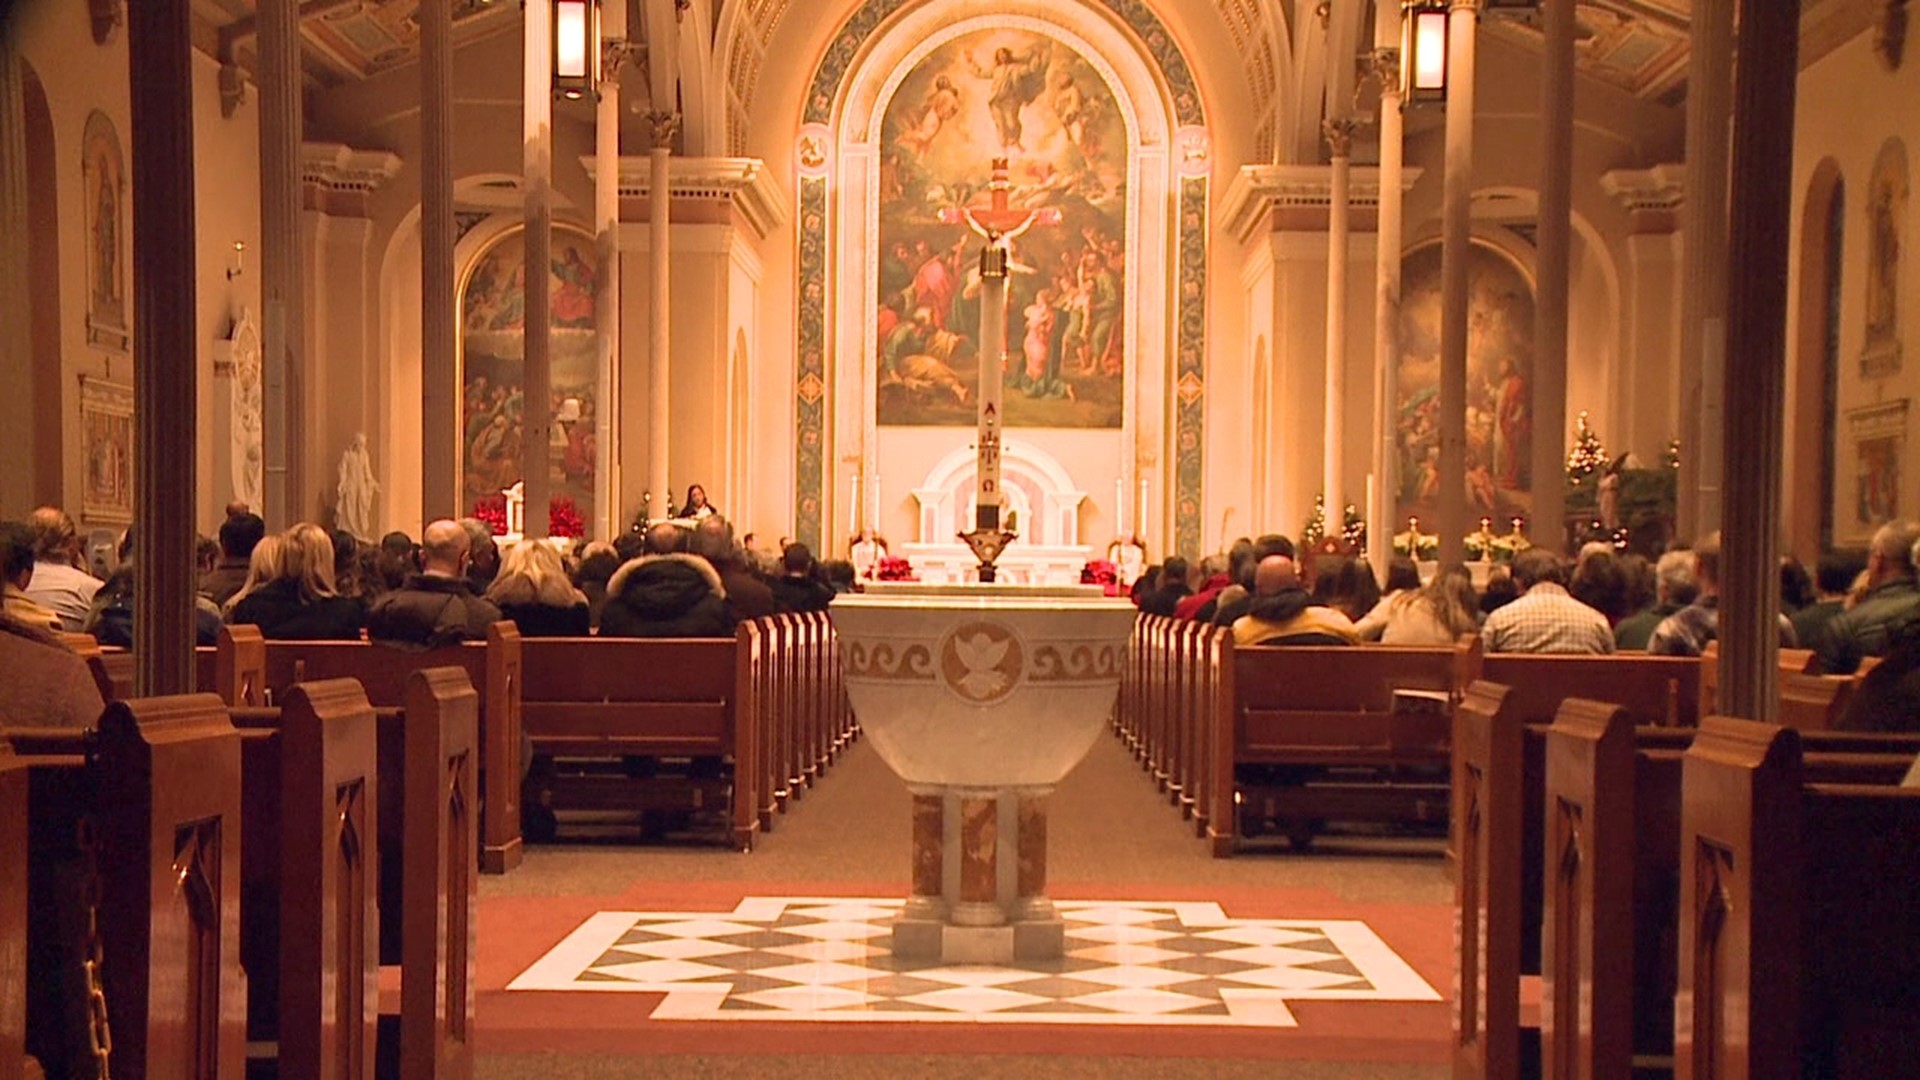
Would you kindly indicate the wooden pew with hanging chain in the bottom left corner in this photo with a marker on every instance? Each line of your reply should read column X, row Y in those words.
column 147, row 812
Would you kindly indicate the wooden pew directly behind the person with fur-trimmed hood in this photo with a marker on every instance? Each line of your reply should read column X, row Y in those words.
column 587, row 699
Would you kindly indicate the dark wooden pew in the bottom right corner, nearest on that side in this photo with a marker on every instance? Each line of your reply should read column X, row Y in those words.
column 1800, row 950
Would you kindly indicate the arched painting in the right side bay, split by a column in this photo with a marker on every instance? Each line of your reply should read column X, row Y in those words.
column 1500, row 362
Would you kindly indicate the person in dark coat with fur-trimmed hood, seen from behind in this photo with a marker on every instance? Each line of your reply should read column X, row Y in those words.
column 667, row 595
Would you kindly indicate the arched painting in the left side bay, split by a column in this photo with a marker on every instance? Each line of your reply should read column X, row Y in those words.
column 492, row 360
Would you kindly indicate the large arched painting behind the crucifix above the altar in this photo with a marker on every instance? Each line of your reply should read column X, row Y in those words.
column 1040, row 105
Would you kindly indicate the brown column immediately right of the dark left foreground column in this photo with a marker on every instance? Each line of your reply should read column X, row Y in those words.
column 279, row 260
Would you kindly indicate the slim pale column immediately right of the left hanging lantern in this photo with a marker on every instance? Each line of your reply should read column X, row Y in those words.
column 608, row 301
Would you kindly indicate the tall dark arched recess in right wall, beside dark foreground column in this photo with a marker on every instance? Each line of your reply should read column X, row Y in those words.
column 1817, row 362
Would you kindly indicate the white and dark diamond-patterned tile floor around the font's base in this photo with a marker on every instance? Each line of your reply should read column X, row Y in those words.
column 828, row 960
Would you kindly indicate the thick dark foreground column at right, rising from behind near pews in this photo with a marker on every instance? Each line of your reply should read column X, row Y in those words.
column 1756, row 356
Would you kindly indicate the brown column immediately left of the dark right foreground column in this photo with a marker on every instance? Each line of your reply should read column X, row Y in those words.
column 1704, row 260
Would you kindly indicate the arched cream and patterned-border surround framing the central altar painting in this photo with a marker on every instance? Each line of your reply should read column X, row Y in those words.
column 844, row 191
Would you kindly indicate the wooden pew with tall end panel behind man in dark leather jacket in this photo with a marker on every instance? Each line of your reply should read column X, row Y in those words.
column 492, row 668
